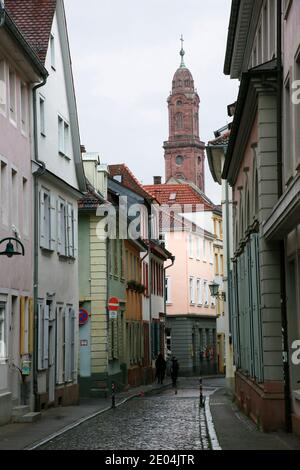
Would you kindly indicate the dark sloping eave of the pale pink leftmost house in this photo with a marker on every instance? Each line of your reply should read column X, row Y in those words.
column 6, row 21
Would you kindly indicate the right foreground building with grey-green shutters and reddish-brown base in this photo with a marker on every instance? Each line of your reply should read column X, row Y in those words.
column 253, row 167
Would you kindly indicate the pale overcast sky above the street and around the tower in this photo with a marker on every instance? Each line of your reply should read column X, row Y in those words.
column 124, row 54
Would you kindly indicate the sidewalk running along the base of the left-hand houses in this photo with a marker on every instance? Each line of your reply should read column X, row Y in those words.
column 54, row 420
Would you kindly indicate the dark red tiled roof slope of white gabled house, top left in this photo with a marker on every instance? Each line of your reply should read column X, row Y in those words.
column 34, row 19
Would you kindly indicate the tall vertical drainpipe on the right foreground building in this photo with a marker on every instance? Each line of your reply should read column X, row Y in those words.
column 284, row 318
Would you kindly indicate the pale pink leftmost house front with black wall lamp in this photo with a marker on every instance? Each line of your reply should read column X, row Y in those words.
column 20, row 69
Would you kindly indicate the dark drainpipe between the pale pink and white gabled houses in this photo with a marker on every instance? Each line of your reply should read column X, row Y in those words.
column 36, row 175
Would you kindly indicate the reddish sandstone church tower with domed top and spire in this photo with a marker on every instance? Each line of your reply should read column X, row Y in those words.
column 184, row 152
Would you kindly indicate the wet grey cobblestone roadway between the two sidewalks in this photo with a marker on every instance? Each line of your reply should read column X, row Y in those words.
column 161, row 422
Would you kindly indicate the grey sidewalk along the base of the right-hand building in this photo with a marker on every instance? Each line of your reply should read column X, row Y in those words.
column 236, row 432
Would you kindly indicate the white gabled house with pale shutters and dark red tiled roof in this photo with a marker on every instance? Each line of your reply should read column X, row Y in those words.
column 58, row 182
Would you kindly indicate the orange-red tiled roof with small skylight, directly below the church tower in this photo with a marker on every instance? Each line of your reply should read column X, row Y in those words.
column 181, row 194
